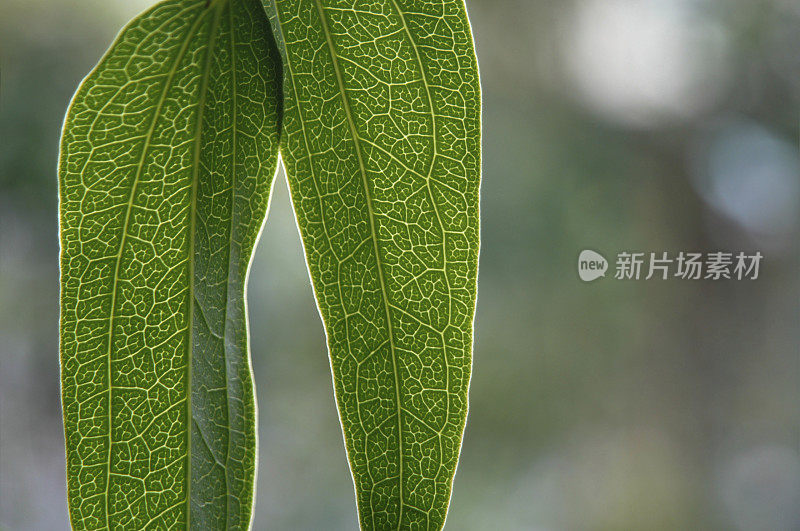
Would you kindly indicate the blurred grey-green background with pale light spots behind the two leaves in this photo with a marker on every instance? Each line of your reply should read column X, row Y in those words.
column 614, row 125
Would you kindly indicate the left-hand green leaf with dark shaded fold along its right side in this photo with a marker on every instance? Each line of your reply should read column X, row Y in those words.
column 169, row 149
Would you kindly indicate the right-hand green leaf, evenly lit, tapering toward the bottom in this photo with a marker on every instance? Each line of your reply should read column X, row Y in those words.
column 381, row 142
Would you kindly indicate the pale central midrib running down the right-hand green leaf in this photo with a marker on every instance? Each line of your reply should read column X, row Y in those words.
column 378, row 261
